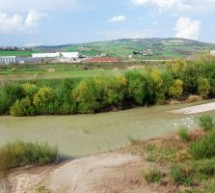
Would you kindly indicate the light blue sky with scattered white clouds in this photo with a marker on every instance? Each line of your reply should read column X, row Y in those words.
column 51, row 22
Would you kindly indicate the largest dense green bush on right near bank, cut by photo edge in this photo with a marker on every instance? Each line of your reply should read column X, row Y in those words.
column 204, row 147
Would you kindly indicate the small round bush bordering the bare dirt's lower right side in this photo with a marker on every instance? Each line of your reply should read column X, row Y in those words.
column 153, row 176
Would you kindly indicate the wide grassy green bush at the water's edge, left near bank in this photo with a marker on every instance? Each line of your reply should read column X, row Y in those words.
column 21, row 154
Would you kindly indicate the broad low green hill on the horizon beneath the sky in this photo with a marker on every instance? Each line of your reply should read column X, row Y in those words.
column 139, row 48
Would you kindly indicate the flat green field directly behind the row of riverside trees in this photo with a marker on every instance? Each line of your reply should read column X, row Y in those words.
column 51, row 72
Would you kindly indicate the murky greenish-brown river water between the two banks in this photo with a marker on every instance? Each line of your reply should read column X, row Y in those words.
column 79, row 135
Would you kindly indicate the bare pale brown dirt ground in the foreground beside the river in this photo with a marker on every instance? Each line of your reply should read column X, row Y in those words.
column 104, row 173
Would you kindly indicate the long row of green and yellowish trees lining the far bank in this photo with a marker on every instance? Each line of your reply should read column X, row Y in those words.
column 88, row 95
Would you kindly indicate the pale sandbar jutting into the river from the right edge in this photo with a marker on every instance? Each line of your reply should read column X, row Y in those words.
column 196, row 109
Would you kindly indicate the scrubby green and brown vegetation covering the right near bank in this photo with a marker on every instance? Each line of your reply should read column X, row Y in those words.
column 182, row 166
